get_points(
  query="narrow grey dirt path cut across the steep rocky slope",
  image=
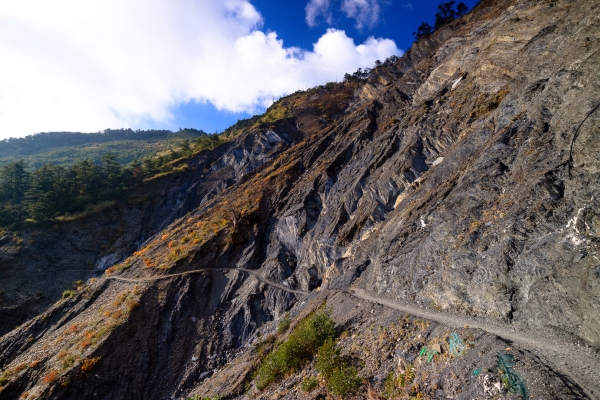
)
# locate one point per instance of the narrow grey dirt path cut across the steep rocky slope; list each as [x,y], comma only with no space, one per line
[580,364]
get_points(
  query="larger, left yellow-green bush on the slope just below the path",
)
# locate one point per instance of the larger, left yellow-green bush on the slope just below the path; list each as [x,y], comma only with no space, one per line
[302,343]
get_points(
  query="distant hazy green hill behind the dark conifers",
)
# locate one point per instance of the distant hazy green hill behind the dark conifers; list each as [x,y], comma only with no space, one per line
[65,148]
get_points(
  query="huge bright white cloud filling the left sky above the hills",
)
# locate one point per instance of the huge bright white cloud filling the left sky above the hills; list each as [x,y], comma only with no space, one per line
[73,65]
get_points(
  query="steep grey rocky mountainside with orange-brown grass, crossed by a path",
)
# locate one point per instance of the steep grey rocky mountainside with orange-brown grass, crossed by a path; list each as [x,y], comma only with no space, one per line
[429,233]
